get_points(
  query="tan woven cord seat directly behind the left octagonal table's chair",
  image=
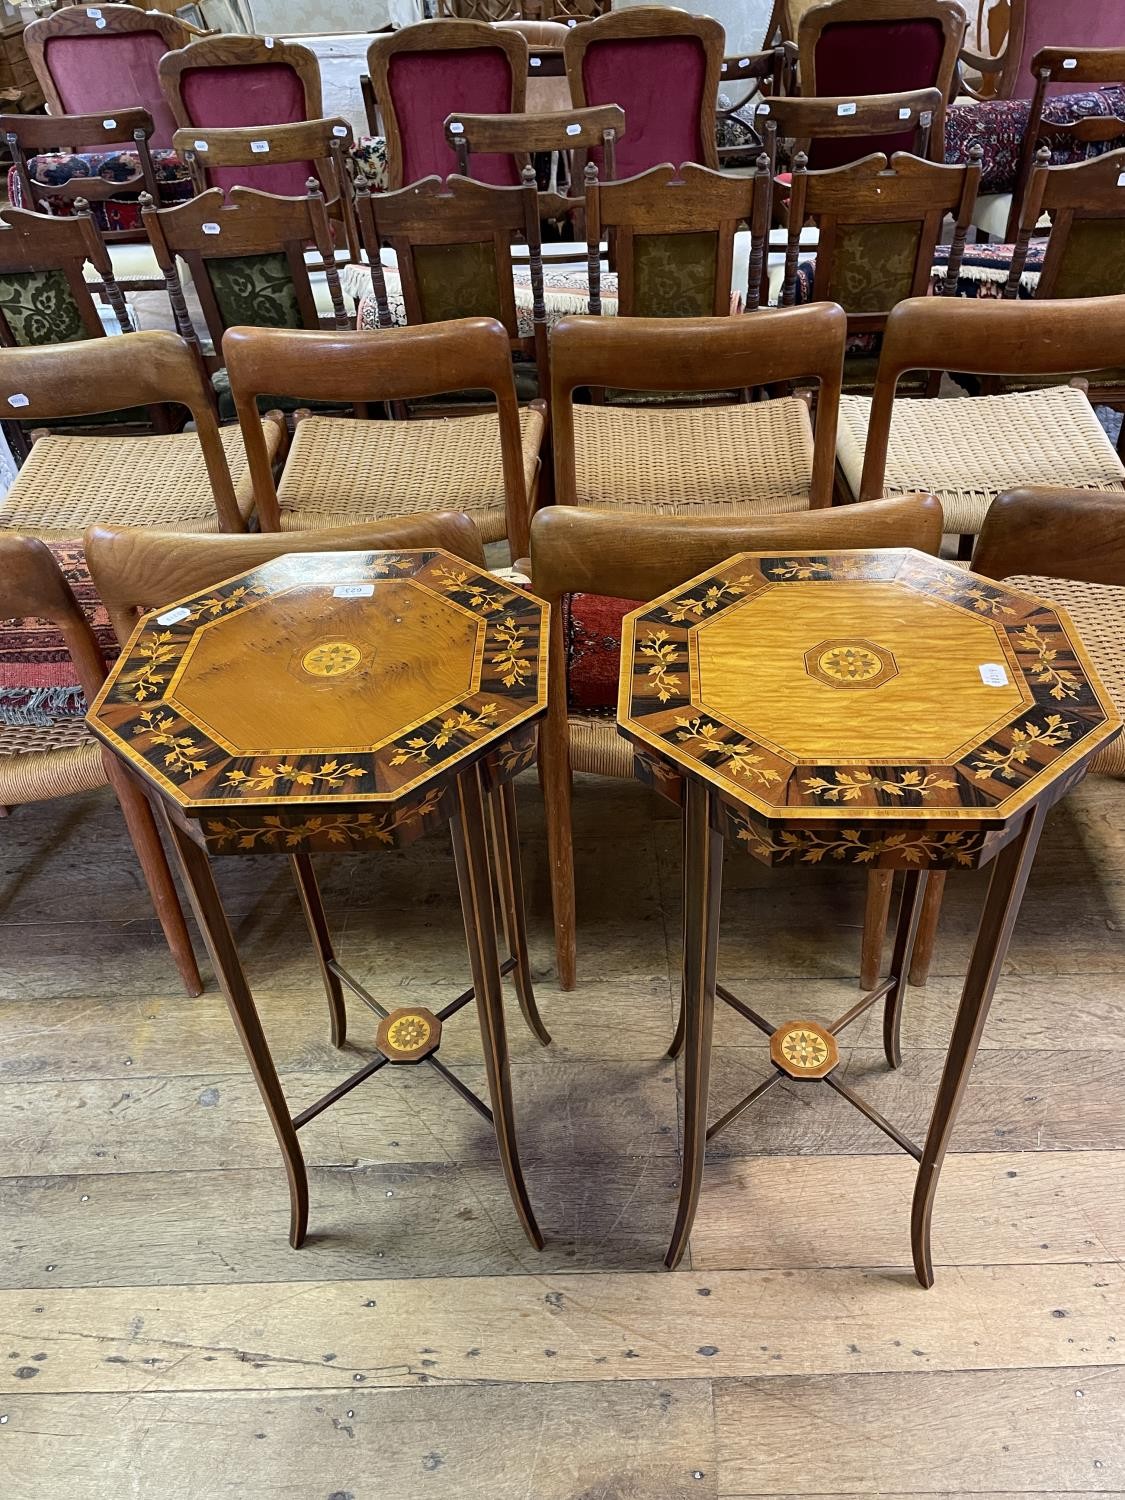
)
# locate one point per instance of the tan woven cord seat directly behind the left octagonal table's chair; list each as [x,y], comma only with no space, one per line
[340,470]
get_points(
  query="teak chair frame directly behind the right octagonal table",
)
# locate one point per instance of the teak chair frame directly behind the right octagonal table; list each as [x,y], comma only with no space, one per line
[638,557]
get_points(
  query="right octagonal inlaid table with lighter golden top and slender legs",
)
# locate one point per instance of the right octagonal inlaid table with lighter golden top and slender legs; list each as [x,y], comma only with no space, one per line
[863,709]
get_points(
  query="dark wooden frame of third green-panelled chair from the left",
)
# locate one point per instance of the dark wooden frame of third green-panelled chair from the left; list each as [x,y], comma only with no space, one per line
[458,212]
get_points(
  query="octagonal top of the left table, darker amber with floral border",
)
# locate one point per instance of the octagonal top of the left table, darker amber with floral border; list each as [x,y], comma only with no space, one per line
[326,680]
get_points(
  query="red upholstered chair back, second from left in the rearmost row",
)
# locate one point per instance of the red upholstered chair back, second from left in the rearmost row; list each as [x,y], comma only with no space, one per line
[247,80]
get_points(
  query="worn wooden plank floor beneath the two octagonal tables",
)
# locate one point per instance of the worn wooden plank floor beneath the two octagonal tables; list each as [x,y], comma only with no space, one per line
[158,1337]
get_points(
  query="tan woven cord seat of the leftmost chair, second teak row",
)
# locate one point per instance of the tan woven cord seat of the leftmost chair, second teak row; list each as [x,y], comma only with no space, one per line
[71,484]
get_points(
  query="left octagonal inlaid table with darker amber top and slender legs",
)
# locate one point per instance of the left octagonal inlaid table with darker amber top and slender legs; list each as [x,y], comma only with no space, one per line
[346,701]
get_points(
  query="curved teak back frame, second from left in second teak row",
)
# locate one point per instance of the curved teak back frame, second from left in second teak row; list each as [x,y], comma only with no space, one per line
[430,359]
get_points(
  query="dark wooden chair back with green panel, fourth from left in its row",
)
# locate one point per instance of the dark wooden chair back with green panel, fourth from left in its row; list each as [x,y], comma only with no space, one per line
[674,236]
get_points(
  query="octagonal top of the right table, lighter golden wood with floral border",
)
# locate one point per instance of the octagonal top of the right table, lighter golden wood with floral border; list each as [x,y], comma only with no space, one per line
[862,686]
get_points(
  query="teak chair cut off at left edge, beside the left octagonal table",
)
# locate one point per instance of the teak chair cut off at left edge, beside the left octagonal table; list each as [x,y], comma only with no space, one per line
[62,760]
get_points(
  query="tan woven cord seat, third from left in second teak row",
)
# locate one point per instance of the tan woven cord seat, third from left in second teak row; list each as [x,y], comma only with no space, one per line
[695,461]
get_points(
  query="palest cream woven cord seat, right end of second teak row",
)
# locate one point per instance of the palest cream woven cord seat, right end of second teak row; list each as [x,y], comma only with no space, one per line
[968,451]
